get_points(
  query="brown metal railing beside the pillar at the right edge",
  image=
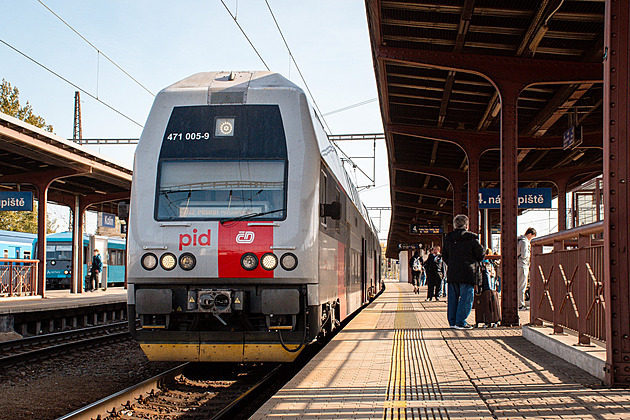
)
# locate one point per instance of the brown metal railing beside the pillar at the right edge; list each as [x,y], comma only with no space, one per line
[567,284]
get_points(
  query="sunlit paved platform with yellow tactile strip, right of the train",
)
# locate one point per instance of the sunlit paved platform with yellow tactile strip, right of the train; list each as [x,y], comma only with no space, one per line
[399,359]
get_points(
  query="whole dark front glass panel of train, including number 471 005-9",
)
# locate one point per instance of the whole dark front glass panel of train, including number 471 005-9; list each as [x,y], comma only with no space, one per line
[221,162]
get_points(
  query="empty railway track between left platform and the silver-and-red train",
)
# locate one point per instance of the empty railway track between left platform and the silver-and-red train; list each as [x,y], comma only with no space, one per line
[40,346]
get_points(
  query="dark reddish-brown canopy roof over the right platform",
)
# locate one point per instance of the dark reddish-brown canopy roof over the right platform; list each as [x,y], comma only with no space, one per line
[440,112]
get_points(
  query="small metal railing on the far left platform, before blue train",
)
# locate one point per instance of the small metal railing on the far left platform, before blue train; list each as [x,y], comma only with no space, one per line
[18,277]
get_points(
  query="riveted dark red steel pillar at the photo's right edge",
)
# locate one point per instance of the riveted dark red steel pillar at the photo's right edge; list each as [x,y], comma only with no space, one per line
[616,202]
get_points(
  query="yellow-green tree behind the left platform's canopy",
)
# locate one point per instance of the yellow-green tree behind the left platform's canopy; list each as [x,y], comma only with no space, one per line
[21,221]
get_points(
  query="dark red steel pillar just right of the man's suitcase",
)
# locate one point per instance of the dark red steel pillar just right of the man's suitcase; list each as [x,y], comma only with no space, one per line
[509,202]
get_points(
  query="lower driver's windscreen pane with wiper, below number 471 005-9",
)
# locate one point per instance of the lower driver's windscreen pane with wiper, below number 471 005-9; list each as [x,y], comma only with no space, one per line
[221,189]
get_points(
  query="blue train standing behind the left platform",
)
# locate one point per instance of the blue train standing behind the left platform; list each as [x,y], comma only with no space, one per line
[22,245]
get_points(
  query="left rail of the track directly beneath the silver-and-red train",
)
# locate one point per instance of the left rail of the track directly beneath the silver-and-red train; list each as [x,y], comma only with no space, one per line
[123,398]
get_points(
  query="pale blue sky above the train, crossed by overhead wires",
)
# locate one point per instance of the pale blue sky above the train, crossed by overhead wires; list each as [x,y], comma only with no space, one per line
[161,42]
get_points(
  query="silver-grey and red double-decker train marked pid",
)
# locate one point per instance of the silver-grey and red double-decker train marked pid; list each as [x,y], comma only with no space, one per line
[247,239]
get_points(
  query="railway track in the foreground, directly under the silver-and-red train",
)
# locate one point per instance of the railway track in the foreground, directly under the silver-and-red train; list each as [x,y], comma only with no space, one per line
[183,390]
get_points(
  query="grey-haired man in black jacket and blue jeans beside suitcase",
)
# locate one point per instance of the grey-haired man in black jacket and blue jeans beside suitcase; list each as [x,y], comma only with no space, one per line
[462,251]
